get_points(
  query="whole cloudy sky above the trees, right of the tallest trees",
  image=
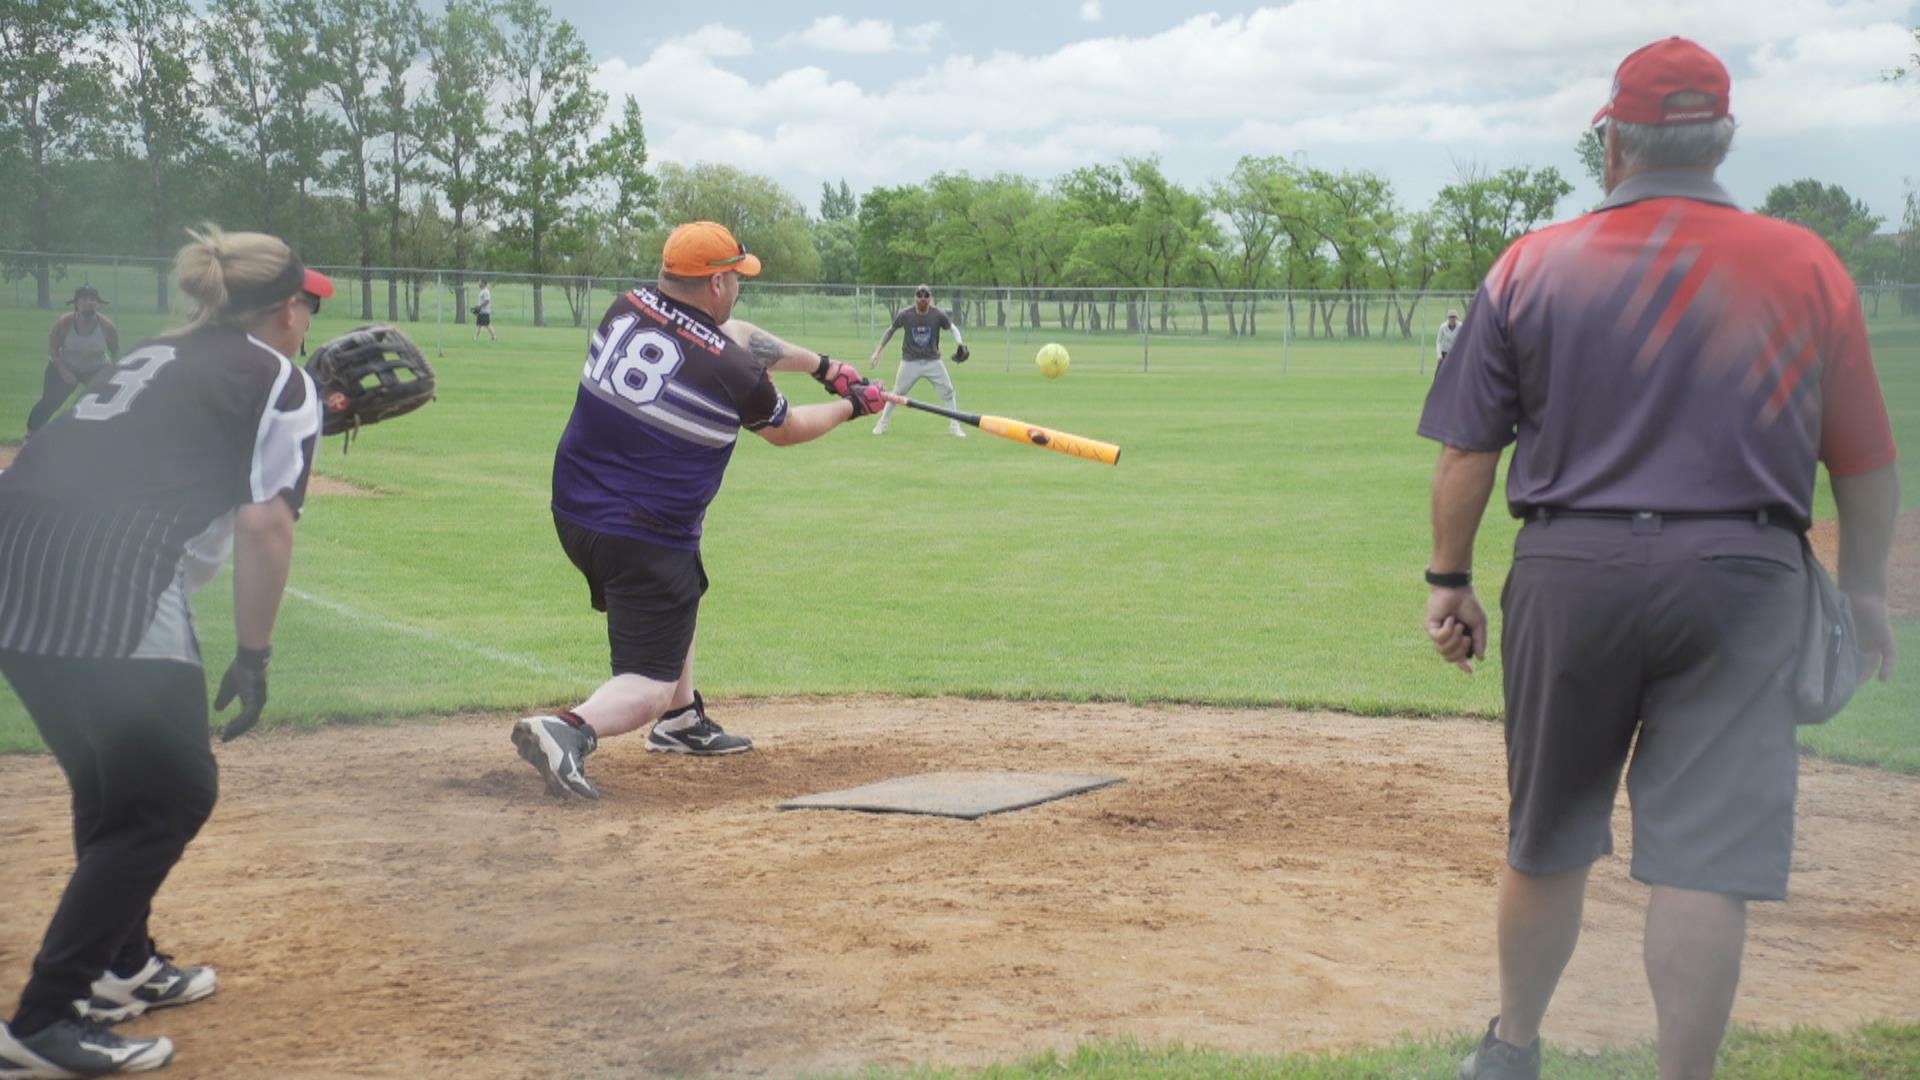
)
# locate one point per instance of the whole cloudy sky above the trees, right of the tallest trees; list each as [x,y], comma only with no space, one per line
[1418,91]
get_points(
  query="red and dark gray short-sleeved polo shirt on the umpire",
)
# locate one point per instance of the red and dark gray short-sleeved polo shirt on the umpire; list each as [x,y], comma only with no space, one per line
[1668,353]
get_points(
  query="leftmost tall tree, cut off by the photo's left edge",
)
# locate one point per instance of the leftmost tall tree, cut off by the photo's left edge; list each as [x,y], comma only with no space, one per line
[53,87]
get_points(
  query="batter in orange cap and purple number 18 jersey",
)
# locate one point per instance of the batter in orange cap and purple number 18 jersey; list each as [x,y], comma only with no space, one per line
[669,385]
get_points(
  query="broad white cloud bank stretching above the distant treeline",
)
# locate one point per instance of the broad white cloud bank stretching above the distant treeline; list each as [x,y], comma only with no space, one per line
[1437,84]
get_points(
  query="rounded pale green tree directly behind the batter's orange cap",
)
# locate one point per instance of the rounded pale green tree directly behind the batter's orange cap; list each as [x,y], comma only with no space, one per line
[759,212]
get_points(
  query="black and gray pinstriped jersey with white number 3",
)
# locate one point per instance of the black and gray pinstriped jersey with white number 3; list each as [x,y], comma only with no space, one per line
[124,506]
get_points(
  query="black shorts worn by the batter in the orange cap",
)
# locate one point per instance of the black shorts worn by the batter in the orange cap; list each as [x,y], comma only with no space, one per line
[650,593]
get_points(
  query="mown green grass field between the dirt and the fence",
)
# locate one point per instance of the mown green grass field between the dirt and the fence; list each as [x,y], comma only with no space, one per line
[1259,545]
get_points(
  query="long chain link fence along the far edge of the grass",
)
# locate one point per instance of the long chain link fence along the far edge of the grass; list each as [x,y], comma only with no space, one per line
[1272,320]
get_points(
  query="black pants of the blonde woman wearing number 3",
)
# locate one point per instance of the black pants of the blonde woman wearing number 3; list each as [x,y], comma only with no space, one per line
[133,739]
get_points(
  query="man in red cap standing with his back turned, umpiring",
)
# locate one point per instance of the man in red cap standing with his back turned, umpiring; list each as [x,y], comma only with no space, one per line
[1669,372]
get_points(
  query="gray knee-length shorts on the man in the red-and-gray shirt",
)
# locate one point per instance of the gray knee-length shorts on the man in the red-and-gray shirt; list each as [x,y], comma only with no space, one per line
[1658,649]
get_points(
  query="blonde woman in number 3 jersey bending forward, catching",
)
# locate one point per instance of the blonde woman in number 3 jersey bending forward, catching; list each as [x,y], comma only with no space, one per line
[110,518]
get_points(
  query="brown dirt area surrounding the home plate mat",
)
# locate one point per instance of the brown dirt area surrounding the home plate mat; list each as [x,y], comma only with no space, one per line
[391,902]
